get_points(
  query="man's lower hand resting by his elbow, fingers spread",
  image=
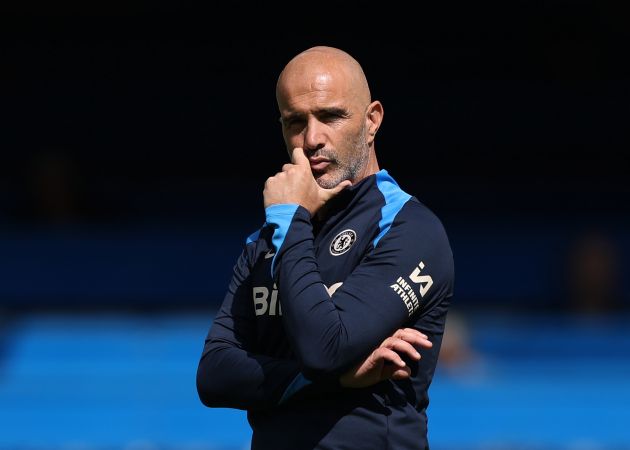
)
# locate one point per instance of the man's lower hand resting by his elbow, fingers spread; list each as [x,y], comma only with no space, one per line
[375,368]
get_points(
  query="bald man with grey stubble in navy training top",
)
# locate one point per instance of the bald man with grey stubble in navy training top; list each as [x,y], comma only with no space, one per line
[331,298]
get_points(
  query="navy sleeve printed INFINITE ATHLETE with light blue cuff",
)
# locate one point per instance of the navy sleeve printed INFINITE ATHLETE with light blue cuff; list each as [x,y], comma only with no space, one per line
[403,277]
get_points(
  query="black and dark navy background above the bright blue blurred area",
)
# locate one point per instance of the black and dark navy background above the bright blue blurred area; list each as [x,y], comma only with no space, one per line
[135,141]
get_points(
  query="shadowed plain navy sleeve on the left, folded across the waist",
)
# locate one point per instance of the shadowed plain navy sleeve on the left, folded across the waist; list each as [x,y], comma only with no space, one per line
[230,373]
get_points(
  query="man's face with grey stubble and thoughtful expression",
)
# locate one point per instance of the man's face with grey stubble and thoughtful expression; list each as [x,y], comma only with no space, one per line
[321,116]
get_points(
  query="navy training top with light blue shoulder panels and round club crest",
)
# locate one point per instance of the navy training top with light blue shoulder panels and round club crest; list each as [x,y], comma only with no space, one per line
[311,298]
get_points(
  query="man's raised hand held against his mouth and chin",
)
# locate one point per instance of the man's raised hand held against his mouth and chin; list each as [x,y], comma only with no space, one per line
[296,184]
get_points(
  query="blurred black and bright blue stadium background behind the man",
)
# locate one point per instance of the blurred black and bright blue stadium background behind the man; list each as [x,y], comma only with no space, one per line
[134,146]
